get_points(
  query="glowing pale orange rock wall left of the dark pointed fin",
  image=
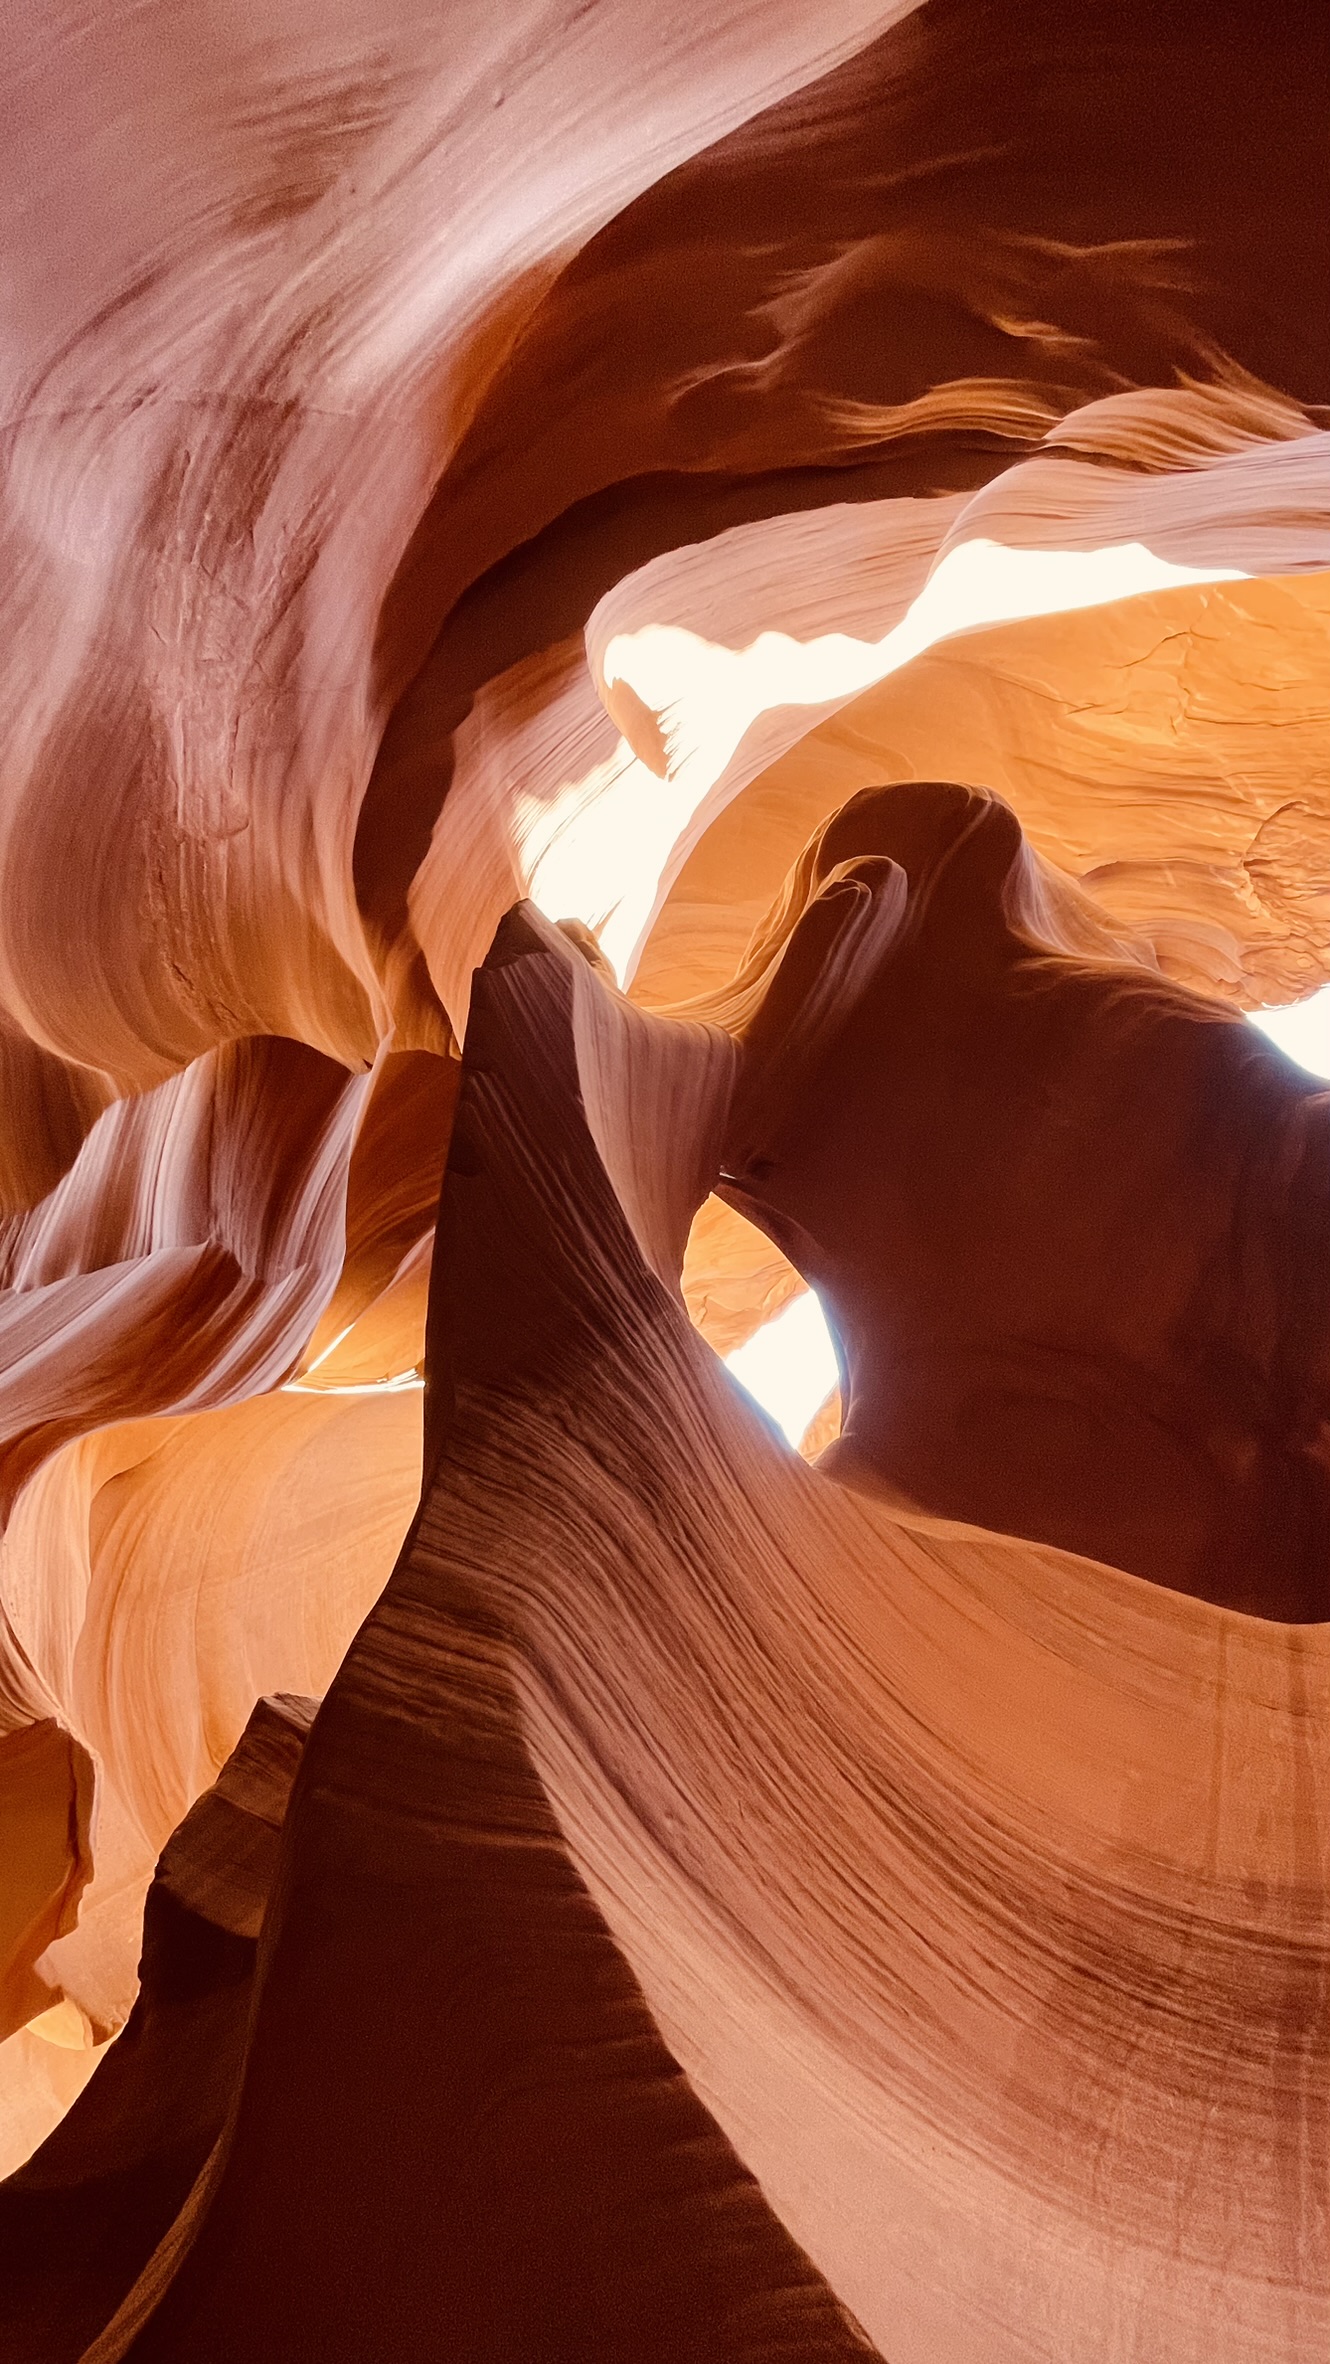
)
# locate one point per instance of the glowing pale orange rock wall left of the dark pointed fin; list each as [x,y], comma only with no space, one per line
[162,1578]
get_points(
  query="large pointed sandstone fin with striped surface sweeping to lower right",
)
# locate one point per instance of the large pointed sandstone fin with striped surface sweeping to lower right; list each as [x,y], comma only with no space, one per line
[951,1916]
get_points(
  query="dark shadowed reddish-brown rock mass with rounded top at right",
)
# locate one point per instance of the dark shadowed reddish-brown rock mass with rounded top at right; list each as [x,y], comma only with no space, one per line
[1071,1221]
